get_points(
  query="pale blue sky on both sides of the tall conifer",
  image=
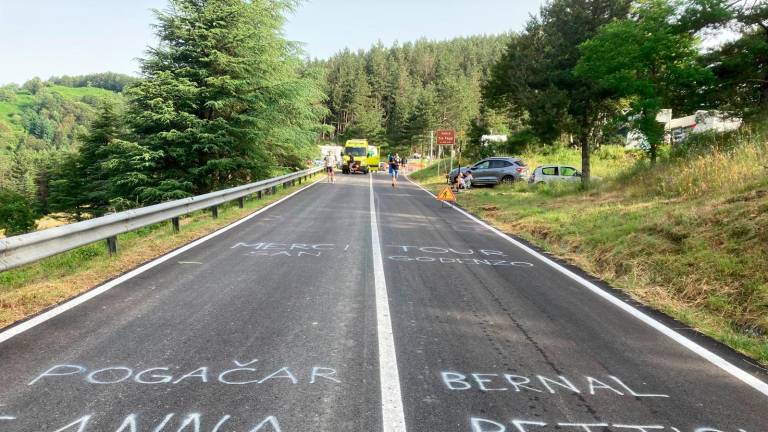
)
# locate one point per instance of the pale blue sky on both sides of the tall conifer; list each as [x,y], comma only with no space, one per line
[73,37]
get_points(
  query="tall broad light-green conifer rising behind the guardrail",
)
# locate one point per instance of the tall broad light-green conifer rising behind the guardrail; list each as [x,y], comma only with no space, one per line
[223,100]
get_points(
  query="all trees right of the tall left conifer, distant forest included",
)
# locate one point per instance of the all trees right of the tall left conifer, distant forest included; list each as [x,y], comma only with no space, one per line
[578,73]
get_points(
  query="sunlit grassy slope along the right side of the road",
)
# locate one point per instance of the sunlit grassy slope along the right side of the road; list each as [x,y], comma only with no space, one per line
[688,236]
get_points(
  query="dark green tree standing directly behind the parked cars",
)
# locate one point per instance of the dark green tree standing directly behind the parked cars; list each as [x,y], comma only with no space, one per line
[535,78]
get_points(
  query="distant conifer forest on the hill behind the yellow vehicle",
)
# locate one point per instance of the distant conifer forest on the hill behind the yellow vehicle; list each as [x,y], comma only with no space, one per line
[396,96]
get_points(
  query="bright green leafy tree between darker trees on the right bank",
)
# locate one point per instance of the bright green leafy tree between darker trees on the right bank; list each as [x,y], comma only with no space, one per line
[657,67]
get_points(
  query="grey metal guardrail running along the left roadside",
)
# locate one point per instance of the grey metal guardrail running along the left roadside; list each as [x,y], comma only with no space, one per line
[27,248]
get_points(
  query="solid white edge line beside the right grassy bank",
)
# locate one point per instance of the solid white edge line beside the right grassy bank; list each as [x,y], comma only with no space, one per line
[708,355]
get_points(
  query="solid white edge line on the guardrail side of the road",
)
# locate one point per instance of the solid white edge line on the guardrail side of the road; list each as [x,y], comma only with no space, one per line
[58,310]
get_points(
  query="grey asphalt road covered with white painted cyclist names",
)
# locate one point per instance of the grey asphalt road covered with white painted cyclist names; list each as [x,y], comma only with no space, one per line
[312,316]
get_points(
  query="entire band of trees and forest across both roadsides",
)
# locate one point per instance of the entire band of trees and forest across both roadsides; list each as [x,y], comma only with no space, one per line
[225,99]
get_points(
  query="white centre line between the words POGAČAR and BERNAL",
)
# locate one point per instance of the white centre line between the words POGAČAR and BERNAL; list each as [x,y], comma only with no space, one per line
[392,414]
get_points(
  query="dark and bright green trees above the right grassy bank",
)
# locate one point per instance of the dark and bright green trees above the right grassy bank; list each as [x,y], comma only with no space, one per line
[582,68]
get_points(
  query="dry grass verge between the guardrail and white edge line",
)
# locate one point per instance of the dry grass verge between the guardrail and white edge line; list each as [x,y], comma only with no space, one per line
[32,288]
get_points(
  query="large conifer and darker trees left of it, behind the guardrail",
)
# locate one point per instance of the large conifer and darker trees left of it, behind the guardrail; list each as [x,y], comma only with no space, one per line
[223,99]
